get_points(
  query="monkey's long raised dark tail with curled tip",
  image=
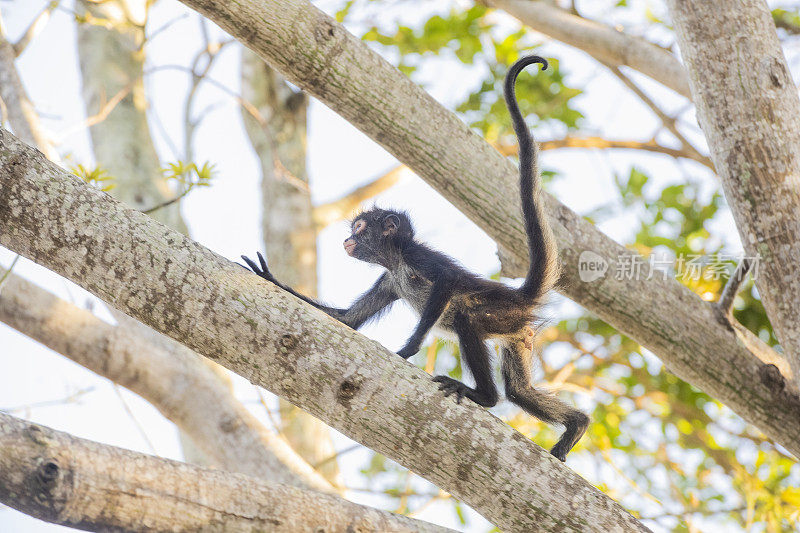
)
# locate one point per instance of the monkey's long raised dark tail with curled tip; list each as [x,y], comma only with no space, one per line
[543,269]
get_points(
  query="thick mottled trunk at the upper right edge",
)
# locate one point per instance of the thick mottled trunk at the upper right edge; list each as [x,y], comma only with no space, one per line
[748,108]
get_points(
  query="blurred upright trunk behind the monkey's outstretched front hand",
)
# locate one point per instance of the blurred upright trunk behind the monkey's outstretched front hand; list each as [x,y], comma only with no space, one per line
[290,238]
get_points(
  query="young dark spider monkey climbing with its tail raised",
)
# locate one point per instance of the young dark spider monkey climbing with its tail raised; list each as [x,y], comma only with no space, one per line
[452,299]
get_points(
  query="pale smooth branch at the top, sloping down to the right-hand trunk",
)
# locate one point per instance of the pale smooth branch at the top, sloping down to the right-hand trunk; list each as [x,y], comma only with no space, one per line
[602,42]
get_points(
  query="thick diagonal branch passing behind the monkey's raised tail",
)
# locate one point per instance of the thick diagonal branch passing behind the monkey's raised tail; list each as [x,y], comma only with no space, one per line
[319,55]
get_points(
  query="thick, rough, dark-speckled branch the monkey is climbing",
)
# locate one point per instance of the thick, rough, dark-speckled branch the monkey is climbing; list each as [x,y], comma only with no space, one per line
[273,339]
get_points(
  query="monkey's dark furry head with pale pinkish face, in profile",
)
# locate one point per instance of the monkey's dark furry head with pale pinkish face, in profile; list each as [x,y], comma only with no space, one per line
[378,234]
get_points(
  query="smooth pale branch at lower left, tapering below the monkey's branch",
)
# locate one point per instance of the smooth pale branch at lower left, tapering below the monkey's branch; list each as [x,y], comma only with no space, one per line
[165,373]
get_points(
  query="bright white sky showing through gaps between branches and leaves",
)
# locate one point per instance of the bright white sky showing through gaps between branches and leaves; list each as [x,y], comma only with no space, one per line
[226,217]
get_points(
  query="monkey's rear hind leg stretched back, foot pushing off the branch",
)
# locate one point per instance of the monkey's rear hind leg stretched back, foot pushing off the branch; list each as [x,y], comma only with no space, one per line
[544,406]
